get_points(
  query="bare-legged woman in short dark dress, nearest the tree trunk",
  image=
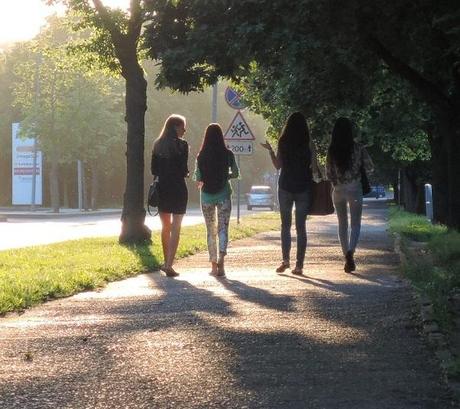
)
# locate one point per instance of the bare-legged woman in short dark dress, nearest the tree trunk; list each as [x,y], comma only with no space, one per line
[169,164]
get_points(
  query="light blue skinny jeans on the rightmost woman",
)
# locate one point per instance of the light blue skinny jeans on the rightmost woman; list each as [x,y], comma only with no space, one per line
[349,195]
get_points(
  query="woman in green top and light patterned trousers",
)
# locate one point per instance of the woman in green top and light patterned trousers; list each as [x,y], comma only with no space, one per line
[215,165]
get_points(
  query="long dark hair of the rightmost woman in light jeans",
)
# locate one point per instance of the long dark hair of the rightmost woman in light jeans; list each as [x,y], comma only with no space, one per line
[342,144]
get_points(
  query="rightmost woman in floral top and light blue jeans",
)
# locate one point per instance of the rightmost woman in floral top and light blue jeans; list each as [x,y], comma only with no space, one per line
[344,161]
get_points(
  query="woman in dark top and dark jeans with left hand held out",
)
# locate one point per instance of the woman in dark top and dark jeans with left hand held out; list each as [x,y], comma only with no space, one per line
[296,157]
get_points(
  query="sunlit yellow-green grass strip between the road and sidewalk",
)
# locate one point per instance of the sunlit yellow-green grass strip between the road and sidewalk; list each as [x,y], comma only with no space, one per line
[32,275]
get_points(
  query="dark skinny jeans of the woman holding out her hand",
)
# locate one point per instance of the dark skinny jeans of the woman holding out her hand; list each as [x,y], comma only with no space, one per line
[302,202]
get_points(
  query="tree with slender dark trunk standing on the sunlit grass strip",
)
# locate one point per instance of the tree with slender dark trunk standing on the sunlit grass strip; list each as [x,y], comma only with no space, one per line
[115,42]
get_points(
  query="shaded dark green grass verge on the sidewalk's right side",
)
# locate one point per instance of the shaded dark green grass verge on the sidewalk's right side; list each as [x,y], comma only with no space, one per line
[433,260]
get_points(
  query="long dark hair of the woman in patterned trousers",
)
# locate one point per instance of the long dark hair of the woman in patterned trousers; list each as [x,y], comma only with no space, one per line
[213,159]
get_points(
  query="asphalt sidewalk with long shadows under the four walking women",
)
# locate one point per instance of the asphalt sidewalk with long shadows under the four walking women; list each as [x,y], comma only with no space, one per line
[254,339]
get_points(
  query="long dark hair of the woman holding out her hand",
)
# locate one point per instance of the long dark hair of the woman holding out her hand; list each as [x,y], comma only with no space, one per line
[294,142]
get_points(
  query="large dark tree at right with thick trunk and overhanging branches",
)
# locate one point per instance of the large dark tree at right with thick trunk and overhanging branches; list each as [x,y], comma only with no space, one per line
[325,57]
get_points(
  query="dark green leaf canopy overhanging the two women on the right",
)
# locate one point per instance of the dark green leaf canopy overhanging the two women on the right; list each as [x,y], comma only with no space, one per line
[318,57]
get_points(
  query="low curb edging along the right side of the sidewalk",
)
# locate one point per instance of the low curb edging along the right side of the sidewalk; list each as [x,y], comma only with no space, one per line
[437,340]
